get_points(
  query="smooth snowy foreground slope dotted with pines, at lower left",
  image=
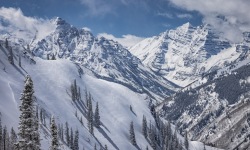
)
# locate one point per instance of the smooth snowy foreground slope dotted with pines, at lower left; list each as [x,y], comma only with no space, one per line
[52,80]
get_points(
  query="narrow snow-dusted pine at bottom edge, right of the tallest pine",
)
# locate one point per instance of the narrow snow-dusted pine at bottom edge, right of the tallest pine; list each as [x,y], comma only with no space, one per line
[54,140]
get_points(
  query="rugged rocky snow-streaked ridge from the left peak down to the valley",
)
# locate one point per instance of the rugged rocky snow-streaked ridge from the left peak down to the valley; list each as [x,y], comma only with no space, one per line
[107,59]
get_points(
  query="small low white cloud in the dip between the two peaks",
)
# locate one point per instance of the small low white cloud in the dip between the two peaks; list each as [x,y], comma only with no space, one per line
[126,40]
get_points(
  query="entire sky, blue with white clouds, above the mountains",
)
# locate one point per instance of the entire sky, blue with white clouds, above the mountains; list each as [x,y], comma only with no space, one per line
[129,21]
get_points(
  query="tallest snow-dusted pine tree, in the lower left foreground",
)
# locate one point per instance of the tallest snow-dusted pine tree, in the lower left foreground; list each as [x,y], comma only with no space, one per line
[27,130]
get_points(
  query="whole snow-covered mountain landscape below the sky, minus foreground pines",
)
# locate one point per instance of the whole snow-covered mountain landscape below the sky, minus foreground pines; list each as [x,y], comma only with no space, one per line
[192,77]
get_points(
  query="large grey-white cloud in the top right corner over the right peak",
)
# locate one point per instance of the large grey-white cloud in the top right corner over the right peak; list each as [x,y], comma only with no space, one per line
[231,17]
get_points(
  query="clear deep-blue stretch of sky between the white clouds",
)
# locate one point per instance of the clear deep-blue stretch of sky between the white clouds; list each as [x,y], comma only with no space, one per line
[141,18]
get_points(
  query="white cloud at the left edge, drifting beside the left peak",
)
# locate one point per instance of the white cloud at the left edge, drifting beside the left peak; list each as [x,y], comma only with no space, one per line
[13,21]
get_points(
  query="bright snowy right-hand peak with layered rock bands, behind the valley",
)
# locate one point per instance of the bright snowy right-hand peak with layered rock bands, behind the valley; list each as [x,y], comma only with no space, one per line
[184,54]
